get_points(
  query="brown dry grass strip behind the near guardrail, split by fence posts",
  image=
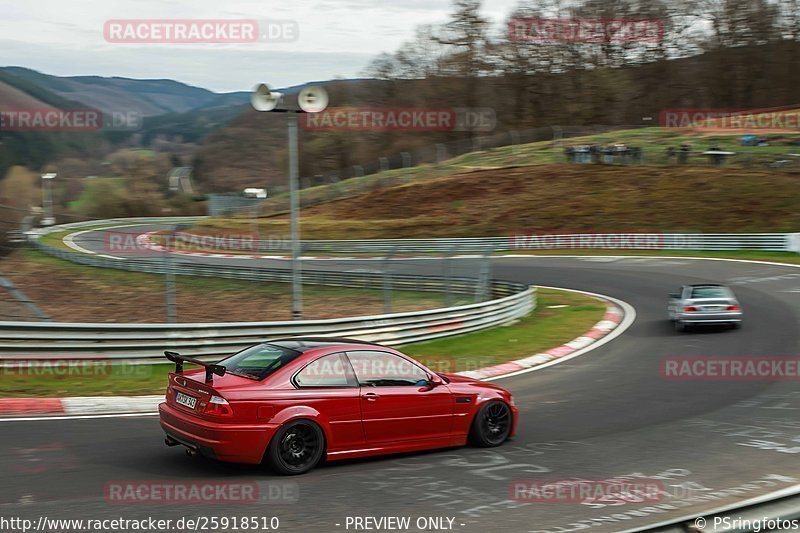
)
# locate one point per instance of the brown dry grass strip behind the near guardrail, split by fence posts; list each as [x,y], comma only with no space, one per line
[70,292]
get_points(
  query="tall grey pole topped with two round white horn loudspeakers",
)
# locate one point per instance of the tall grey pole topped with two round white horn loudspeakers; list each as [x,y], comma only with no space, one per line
[312,99]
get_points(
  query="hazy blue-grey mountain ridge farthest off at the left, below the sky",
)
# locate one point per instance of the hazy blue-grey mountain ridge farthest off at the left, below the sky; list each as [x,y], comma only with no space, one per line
[147,97]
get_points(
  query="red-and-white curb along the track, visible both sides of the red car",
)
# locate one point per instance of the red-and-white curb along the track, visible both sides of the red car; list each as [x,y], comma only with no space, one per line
[122,405]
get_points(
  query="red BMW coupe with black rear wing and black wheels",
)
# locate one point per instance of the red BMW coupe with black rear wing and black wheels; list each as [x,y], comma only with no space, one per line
[291,402]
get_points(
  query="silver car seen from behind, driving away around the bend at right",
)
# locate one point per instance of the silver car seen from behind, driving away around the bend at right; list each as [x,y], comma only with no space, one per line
[704,304]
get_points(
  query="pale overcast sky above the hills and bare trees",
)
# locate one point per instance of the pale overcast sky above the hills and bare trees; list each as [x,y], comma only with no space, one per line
[336,38]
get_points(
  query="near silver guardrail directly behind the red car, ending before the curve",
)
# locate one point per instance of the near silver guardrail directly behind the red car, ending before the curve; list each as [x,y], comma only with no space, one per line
[35,340]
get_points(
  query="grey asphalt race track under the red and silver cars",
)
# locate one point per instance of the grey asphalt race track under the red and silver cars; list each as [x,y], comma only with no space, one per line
[605,414]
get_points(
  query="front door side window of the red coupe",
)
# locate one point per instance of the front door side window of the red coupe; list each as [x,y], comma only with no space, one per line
[383,369]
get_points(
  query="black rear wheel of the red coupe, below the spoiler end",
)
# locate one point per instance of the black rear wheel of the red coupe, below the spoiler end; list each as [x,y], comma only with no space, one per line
[297,447]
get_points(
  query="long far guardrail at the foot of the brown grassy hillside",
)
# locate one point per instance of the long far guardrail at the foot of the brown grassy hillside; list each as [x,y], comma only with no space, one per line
[521,242]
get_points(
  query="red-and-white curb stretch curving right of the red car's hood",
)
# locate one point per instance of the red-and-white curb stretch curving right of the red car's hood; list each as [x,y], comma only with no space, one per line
[612,319]
